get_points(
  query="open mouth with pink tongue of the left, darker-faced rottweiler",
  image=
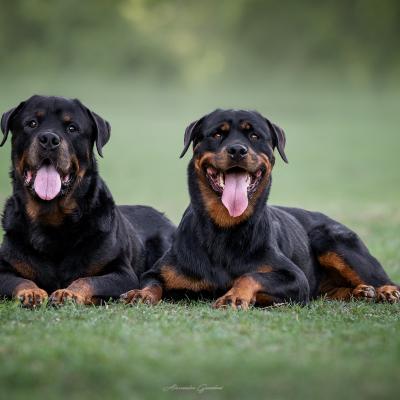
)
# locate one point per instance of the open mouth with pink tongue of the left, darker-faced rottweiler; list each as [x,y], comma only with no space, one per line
[47,182]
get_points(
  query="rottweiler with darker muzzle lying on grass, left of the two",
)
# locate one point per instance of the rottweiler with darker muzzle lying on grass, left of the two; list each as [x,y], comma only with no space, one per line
[64,236]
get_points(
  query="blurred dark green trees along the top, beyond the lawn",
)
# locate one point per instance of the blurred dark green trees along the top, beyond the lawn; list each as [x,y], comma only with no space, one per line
[193,40]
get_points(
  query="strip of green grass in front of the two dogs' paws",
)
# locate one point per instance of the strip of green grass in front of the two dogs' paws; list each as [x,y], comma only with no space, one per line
[327,350]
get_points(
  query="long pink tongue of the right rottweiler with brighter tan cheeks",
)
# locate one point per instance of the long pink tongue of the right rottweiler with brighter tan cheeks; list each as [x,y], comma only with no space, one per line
[234,196]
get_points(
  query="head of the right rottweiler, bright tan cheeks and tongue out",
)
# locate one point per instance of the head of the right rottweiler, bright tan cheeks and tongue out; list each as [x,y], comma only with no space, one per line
[233,158]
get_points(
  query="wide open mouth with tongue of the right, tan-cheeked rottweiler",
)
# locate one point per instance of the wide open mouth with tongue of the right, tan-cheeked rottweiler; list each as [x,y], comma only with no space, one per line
[235,186]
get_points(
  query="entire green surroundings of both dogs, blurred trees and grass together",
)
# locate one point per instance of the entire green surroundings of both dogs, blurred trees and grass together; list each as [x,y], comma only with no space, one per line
[328,72]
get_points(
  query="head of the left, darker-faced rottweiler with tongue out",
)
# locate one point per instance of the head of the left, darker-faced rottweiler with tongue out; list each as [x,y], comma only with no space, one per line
[52,144]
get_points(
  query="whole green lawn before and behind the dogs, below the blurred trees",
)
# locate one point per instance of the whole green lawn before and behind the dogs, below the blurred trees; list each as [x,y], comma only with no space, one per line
[343,149]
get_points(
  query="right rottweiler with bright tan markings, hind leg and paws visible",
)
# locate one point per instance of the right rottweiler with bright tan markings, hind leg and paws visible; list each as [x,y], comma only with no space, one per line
[240,250]
